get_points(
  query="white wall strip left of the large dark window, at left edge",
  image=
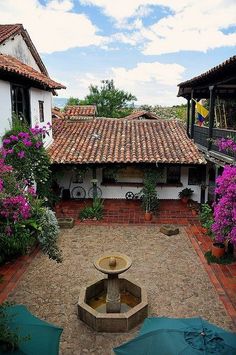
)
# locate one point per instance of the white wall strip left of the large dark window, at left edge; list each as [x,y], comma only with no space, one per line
[5,106]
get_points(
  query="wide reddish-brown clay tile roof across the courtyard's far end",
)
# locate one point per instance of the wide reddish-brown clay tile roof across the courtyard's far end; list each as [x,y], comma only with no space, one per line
[122,141]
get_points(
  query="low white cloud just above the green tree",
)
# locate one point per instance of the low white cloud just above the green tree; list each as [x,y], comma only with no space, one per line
[152,83]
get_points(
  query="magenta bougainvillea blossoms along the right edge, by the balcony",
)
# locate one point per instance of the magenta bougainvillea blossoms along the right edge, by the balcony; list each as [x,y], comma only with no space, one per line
[224,226]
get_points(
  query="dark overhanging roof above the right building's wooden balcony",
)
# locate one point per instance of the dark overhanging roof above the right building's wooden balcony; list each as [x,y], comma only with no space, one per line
[229,64]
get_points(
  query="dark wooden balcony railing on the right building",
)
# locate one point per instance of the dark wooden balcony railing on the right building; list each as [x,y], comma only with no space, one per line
[201,137]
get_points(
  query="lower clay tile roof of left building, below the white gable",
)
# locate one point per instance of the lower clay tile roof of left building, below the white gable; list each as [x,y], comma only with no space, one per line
[9,64]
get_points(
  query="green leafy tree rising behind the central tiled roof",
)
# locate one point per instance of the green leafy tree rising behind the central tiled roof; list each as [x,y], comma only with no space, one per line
[110,101]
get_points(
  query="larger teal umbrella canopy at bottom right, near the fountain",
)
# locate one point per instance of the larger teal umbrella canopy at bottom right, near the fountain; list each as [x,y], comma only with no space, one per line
[172,336]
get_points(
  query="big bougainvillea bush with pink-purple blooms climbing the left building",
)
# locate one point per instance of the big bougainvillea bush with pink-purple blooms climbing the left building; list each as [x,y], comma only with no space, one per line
[23,214]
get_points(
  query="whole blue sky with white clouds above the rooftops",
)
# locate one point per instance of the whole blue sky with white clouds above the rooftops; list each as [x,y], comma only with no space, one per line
[147,46]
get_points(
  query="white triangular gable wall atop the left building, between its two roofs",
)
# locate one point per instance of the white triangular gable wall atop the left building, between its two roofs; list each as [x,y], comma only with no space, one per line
[16,47]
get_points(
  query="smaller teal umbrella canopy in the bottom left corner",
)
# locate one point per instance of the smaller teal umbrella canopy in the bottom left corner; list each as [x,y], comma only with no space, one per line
[44,337]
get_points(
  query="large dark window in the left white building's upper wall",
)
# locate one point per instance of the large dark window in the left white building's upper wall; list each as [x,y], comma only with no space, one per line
[20,102]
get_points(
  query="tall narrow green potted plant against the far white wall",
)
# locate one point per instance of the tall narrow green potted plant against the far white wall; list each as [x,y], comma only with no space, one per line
[148,194]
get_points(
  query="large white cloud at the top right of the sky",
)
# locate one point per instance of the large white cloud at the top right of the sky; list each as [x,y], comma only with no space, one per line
[192,25]
